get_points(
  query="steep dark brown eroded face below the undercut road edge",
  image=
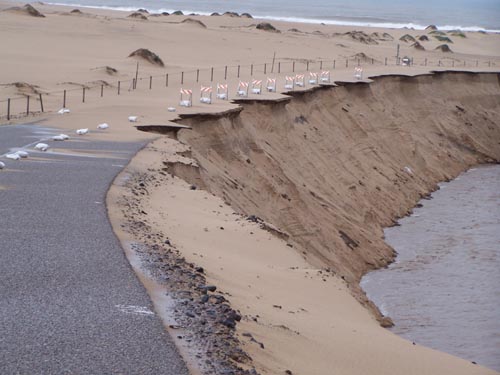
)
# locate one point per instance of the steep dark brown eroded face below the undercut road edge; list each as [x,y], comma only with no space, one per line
[331,167]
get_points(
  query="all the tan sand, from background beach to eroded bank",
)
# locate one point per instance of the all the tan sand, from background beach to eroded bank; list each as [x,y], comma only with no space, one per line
[305,315]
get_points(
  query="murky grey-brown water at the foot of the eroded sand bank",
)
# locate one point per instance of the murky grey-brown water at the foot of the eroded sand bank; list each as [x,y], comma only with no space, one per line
[443,290]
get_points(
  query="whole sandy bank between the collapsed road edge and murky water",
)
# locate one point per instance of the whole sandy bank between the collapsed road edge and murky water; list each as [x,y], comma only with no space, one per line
[327,179]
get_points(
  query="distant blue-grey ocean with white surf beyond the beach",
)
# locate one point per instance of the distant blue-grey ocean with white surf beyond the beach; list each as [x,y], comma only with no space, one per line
[467,15]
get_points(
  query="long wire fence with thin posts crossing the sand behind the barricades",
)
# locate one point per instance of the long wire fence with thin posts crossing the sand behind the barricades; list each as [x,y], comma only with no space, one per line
[40,102]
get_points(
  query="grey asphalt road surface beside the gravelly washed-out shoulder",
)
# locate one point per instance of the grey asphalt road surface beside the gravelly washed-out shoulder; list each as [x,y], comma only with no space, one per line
[70,302]
